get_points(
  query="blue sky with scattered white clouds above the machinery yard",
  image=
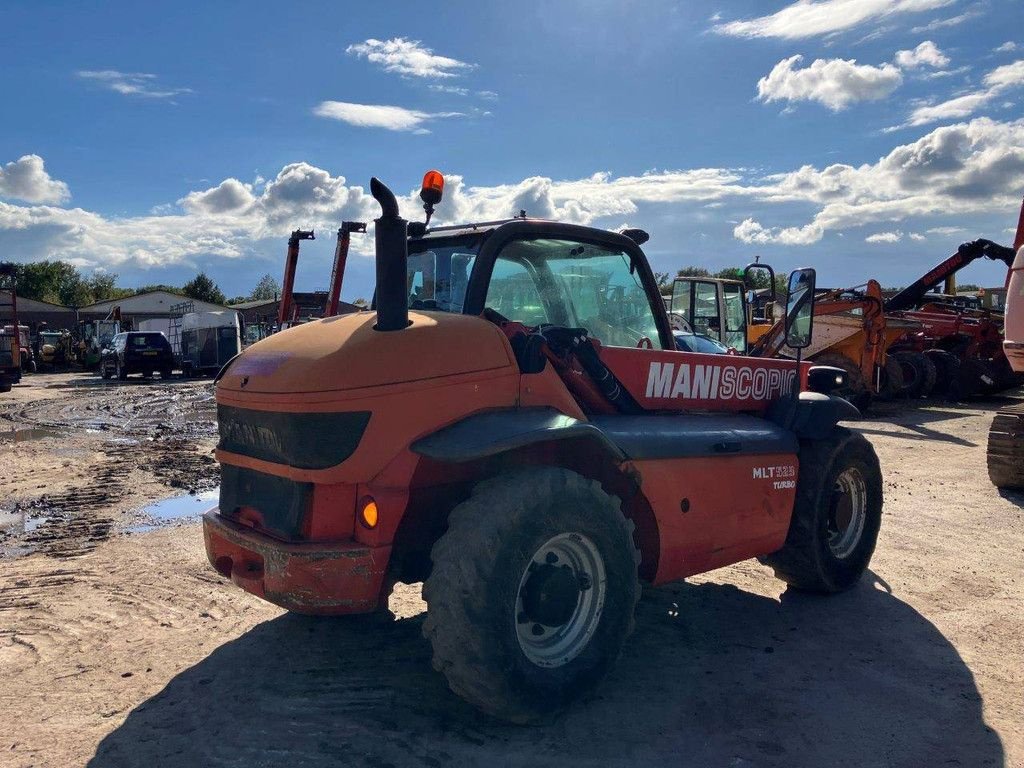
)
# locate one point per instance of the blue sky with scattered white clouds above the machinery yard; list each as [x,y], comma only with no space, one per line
[157,140]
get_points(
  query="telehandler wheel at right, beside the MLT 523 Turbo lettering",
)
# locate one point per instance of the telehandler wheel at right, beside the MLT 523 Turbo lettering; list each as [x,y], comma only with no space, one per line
[837,517]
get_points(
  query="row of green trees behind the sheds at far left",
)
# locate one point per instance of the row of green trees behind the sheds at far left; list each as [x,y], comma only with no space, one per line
[61,283]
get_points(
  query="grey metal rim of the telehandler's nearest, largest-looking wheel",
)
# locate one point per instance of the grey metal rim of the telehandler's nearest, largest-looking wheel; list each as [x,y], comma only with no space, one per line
[561,600]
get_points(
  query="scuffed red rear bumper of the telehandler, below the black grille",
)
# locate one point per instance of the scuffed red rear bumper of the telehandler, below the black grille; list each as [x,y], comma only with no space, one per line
[316,578]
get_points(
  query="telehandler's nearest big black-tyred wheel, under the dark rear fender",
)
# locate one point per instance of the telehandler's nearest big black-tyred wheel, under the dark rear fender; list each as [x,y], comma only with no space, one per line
[533,592]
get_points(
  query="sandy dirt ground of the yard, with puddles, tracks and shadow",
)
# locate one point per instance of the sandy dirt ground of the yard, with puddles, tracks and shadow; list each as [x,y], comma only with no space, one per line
[120,647]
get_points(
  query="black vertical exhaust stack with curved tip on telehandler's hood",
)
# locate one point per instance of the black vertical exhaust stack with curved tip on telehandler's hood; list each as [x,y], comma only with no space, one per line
[392,240]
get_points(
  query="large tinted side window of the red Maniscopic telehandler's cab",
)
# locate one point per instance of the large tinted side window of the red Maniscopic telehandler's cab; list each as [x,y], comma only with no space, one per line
[574,284]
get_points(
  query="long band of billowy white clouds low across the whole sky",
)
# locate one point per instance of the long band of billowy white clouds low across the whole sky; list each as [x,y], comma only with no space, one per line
[955,172]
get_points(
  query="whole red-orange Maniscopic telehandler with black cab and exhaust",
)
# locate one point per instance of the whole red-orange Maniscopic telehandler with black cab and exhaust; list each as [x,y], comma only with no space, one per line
[514,428]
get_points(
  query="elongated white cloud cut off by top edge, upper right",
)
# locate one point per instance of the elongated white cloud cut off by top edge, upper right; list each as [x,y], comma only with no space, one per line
[805,19]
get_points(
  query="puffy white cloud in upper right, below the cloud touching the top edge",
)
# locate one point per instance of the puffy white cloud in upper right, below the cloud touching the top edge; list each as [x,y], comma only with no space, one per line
[837,83]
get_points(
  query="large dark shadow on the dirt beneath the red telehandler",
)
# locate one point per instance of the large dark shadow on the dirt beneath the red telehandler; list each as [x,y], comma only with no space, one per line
[713,676]
